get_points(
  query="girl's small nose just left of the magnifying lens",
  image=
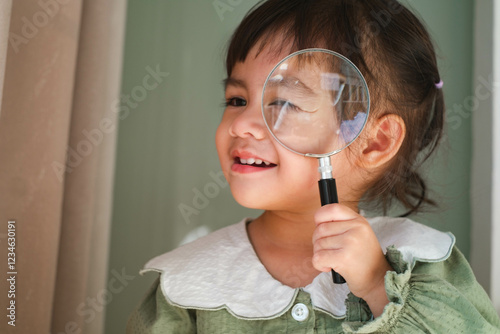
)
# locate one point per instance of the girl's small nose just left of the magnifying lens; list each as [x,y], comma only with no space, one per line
[249,123]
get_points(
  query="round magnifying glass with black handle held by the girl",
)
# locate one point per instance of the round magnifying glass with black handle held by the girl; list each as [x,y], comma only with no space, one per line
[316,103]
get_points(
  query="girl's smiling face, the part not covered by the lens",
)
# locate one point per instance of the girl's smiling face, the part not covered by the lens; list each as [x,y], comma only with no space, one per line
[261,173]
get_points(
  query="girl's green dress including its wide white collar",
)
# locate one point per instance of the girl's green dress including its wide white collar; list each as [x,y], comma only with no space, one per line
[216,284]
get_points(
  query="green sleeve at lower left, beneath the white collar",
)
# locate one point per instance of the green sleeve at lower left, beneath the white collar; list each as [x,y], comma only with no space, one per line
[155,315]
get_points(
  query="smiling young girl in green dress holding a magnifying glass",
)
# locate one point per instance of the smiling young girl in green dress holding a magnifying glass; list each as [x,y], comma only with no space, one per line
[272,274]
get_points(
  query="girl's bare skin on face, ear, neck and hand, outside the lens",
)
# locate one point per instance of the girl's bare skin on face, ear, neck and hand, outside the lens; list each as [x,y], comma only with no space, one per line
[295,238]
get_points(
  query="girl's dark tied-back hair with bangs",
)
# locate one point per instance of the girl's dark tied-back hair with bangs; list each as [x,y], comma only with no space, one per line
[392,49]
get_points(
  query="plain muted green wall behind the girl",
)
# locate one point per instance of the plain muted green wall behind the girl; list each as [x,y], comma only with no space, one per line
[166,154]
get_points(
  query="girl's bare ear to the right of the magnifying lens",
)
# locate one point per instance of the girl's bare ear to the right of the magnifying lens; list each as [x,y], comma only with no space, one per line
[384,138]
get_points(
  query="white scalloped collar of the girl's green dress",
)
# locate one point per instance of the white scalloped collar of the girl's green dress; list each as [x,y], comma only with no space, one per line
[222,270]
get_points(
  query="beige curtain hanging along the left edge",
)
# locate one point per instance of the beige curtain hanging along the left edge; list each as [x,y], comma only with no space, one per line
[62,62]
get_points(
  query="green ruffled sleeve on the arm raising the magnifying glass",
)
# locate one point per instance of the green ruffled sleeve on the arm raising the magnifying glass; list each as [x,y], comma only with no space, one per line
[431,297]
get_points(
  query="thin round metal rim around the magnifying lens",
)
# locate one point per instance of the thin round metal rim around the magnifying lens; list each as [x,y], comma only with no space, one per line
[333,53]
